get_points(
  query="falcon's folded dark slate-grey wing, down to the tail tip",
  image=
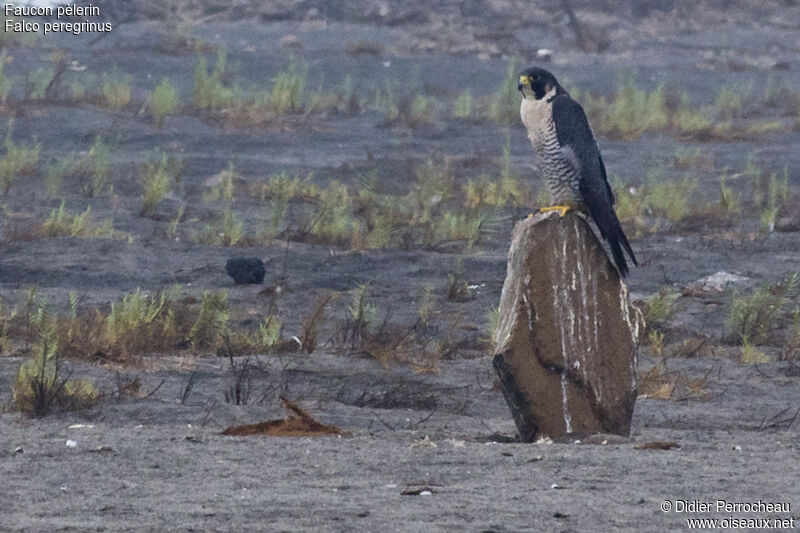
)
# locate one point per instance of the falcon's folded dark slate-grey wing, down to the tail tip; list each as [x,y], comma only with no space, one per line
[575,135]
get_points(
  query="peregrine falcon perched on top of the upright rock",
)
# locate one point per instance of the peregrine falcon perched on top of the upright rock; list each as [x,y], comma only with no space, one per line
[569,158]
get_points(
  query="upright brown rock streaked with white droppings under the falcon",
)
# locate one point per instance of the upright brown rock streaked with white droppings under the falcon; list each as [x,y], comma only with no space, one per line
[566,342]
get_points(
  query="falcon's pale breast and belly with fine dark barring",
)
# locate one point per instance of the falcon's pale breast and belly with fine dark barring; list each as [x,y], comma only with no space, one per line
[559,167]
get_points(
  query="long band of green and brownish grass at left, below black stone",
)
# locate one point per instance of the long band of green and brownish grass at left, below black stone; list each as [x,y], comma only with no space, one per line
[139,324]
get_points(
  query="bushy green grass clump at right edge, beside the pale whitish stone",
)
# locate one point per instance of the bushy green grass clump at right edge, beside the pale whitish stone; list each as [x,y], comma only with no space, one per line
[753,316]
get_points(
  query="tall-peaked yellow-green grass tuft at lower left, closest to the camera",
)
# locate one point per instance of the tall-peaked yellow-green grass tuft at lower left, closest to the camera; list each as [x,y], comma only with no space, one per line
[41,385]
